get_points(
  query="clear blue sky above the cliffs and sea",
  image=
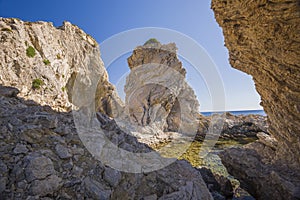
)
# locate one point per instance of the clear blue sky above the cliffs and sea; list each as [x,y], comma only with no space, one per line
[103,19]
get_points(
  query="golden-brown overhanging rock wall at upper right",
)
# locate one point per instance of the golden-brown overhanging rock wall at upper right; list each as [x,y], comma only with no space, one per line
[263,40]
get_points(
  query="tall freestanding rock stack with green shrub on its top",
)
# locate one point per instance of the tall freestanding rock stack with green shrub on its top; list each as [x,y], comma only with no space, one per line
[157,94]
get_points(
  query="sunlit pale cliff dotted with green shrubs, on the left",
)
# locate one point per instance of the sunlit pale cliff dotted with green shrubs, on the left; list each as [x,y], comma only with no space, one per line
[42,61]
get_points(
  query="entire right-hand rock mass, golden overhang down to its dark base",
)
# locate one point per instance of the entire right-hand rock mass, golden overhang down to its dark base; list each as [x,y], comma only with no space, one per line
[263,40]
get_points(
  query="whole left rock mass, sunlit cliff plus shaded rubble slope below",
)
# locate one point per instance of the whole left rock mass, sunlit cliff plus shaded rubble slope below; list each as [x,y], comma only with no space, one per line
[41,153]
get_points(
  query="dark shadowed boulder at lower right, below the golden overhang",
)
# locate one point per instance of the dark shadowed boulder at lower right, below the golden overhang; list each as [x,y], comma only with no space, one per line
[252,166]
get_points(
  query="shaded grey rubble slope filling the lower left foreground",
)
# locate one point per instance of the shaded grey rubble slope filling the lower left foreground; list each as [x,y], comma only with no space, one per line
[40,160]
